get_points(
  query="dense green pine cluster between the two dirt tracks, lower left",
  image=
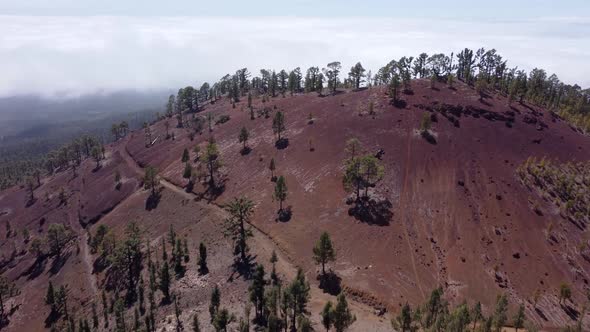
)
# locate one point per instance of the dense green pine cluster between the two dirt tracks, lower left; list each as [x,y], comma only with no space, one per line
[123,259]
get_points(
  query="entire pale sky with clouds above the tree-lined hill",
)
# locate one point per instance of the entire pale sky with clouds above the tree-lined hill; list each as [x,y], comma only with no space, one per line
[73,47]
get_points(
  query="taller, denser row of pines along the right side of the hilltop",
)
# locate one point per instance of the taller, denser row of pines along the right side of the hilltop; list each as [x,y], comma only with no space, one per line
[487,70]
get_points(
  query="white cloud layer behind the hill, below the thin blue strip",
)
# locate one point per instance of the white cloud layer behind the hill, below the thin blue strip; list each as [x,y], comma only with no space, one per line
[77,55]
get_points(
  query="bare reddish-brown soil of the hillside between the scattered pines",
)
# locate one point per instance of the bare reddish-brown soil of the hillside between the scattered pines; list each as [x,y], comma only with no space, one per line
[453,213]
